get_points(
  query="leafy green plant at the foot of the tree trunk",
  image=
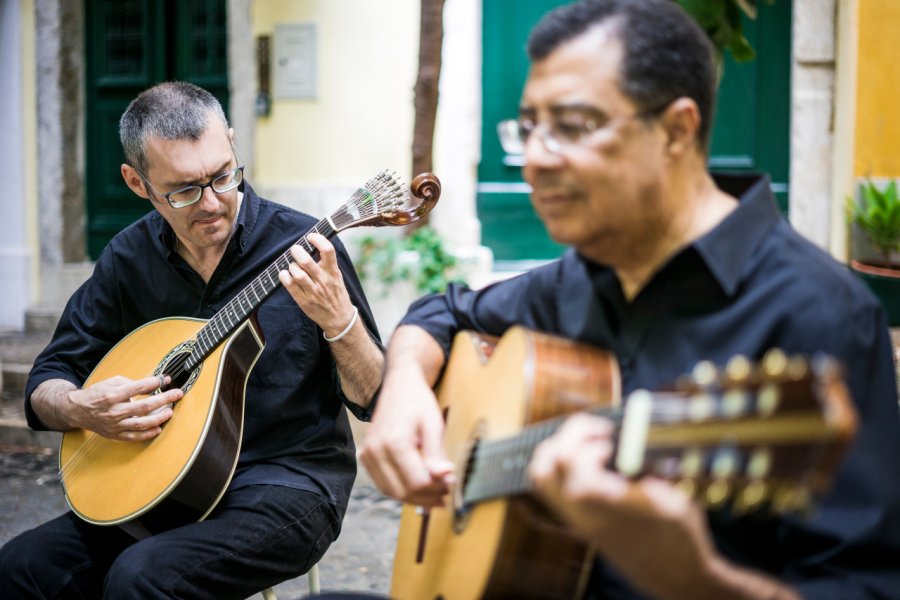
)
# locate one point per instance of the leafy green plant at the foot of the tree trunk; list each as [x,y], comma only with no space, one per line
[434,269]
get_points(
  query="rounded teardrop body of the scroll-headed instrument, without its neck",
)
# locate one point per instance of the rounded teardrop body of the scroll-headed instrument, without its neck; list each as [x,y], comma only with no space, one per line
[179,476]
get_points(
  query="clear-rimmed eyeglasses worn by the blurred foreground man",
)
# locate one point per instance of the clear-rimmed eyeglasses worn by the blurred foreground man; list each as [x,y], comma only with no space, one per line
[566,130]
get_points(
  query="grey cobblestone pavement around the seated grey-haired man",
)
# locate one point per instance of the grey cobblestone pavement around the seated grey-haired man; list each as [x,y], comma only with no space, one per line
[360,560]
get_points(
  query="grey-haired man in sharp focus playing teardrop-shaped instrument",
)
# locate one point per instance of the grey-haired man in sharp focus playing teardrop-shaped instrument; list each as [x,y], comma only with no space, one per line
[209,236]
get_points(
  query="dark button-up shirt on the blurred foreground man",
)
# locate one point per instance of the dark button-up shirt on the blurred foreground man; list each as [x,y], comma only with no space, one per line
[749,285]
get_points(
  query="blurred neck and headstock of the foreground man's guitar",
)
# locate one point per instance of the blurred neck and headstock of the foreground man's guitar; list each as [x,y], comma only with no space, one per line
[778,438]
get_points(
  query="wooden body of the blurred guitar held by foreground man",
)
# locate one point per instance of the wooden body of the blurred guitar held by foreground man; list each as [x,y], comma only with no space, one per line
[505,547]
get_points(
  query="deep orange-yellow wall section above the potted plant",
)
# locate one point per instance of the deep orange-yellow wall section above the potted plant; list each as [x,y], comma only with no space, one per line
[878,90]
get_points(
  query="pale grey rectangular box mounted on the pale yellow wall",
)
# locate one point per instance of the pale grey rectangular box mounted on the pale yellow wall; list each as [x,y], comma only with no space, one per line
[295,60]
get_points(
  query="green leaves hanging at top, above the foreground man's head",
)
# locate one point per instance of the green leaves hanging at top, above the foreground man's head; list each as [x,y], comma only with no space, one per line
[721,20]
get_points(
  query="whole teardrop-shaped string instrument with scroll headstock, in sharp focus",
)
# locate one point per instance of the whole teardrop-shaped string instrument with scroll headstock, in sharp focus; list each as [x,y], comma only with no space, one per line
[179,476]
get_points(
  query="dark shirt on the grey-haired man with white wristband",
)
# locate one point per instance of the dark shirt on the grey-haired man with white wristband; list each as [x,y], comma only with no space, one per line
[296,432]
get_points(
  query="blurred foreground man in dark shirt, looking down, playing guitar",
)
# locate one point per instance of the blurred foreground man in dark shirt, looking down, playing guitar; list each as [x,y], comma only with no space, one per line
[667,267]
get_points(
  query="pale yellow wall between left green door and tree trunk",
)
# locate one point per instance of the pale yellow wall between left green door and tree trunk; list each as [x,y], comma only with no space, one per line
[362,118]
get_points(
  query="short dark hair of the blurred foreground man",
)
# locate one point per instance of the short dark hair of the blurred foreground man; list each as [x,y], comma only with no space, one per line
[665,53]
